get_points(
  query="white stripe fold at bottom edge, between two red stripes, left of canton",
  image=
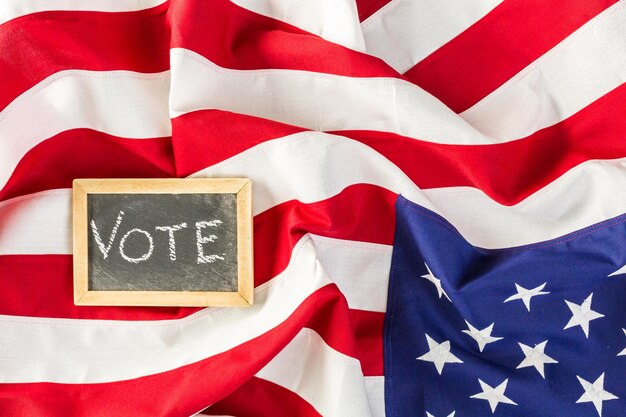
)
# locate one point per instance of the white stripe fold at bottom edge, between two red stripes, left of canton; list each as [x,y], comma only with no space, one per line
[328,380]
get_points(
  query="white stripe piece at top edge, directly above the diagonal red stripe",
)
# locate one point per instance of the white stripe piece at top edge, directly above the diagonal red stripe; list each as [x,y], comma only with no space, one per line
[404,32]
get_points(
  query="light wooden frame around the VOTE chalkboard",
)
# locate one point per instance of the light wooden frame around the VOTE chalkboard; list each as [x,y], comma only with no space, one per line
[242,187]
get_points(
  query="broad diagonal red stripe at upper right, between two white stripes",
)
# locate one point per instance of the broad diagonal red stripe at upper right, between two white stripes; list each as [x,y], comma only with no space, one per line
[497,47]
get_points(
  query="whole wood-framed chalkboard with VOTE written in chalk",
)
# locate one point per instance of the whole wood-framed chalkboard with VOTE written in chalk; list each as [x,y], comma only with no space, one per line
[163,242]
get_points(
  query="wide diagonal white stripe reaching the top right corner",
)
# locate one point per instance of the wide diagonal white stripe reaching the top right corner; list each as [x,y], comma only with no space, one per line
[585,66]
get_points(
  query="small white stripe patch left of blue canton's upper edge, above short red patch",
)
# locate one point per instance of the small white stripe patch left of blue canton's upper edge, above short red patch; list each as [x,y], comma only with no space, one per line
[360,270]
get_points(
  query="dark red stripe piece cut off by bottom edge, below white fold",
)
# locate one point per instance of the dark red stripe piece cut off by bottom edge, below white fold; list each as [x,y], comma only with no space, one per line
[261,398]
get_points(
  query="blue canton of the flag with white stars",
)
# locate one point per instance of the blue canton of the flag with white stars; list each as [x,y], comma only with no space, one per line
[532,331]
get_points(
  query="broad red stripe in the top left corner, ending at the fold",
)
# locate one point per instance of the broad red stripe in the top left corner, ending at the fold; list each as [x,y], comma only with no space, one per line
[38,45]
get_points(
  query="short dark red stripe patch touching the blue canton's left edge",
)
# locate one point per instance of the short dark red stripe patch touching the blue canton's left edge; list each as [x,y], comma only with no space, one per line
[368,330]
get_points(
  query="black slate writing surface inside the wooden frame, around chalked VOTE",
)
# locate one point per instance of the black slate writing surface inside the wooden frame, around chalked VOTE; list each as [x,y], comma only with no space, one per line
[158,270]
